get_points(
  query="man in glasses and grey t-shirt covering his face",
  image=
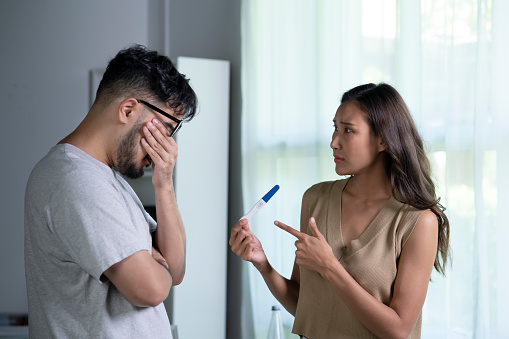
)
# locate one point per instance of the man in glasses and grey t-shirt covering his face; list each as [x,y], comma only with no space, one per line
[97,265]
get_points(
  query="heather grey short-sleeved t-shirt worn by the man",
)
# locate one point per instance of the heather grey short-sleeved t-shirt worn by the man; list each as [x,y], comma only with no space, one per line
[81,218]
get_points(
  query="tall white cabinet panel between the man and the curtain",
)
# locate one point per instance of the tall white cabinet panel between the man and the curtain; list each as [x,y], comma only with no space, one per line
[201,186]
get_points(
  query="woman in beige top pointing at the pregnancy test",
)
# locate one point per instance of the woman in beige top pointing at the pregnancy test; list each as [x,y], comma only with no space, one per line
[367,244]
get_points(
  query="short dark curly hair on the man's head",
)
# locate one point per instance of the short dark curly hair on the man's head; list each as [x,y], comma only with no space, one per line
[143,74]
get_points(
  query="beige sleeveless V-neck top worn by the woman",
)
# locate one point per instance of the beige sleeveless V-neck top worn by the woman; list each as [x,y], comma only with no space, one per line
[371,259]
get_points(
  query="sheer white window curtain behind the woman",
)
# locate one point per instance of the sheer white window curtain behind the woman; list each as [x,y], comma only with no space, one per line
[449,60]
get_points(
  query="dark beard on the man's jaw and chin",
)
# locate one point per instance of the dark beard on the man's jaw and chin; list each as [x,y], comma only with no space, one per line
[126,152]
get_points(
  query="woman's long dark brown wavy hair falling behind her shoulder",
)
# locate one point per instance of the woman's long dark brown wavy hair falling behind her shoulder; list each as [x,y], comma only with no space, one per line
[406,162]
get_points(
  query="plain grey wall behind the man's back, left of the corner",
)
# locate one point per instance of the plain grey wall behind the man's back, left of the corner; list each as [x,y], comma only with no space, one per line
[46,51]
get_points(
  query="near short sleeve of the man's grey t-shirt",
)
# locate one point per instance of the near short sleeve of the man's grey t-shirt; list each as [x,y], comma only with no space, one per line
[91,221]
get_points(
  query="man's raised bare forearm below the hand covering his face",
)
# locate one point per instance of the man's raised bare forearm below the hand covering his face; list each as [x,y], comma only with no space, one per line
[170,235]
